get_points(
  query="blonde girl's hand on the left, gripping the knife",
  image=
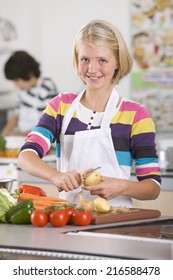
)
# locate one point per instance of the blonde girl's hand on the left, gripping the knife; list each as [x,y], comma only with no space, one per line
[67,181]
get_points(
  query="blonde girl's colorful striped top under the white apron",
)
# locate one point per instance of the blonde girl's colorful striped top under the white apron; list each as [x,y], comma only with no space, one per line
[132,130]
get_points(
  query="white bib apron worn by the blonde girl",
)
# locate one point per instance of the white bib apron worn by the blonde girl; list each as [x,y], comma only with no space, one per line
[91,148]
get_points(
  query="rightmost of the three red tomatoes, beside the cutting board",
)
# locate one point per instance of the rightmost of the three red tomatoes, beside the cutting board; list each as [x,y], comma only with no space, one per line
[81,218]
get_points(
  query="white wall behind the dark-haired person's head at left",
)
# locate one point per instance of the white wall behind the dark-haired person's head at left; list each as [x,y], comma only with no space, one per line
[25,16]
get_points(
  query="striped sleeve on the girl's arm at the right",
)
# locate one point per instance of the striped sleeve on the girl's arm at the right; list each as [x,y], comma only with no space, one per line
[144,147]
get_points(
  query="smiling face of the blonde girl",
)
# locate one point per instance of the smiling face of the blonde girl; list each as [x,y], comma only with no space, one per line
[96,66]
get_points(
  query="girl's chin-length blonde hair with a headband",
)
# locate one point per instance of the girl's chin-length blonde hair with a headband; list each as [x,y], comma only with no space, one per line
[104,34]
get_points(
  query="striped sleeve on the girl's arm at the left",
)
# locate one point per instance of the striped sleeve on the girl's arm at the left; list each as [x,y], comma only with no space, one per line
[49,127]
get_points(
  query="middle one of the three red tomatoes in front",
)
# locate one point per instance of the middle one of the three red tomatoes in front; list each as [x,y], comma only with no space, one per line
[58,218]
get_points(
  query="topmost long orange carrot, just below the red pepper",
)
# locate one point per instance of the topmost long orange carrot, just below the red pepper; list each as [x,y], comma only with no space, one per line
[26,196]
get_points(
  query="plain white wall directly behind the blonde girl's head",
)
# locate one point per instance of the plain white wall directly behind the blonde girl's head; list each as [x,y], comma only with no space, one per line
[62,24]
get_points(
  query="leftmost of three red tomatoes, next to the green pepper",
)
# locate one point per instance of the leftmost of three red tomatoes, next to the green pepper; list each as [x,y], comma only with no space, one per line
[39,218]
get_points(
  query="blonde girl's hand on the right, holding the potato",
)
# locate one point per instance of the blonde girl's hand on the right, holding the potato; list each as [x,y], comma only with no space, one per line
[109,188]
